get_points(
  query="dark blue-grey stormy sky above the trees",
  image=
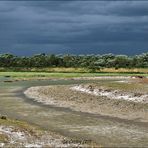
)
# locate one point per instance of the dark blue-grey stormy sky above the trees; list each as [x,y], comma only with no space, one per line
[76,27]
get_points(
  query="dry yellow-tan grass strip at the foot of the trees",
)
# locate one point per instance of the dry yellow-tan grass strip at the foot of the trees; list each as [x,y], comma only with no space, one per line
[73,70]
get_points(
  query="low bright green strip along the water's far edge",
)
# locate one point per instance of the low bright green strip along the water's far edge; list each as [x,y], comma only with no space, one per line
[14,76]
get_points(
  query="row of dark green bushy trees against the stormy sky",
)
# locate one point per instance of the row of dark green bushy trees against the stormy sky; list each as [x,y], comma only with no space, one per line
[76,61]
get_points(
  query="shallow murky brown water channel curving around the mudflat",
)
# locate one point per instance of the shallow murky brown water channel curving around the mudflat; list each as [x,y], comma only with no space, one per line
[103,130]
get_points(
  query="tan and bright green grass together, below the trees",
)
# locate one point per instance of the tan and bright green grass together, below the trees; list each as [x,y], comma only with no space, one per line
[73,72]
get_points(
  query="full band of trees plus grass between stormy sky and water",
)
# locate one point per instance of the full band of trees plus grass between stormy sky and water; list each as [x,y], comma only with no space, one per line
[69,66]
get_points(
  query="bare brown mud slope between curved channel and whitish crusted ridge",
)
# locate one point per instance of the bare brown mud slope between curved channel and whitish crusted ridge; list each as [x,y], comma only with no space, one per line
[85,101]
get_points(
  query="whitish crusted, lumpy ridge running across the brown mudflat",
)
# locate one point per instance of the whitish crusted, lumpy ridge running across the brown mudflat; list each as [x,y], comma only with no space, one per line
[112,94]
